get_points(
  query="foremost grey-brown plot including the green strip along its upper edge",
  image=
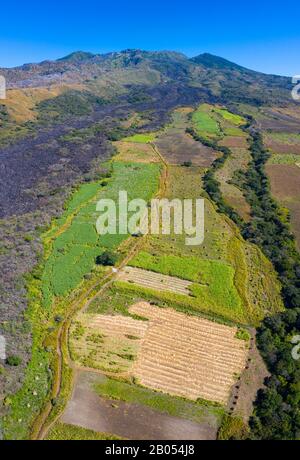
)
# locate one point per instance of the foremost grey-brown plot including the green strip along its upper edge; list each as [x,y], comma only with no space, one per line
[130,411]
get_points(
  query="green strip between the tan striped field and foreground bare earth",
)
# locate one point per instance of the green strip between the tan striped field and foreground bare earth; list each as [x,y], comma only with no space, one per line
[171,405]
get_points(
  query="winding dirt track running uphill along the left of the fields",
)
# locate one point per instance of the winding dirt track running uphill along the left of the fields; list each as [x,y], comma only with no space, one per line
[41,426]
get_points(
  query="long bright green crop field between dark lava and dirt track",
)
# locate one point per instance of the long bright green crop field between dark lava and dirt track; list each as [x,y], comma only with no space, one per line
[74,250]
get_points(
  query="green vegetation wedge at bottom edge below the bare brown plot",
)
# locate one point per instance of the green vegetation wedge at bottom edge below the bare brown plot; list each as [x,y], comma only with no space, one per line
[65,432]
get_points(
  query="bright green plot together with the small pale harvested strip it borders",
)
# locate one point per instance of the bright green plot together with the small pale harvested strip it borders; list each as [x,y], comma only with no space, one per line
[211,289]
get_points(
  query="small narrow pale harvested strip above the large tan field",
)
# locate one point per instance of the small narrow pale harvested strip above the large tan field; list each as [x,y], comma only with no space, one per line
[154,280]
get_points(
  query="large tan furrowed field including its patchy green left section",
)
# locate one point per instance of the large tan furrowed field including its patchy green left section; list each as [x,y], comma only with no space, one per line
[166,353]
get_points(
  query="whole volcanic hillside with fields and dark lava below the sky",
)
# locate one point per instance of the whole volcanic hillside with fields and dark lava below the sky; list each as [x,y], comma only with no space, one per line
[157,124]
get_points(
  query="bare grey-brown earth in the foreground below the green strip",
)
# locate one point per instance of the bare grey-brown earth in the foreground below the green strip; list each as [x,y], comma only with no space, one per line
[130,421]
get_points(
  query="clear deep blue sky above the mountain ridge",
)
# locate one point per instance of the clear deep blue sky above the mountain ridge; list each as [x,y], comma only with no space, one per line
[262,35]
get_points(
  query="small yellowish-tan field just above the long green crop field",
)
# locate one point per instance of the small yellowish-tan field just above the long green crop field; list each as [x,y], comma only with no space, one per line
[136,152]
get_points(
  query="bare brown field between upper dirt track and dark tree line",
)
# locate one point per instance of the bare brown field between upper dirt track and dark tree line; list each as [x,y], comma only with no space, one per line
[180,147]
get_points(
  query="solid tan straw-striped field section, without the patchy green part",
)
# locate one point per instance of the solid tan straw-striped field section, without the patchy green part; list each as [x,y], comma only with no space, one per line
[188,356]
